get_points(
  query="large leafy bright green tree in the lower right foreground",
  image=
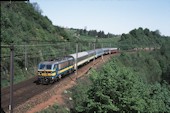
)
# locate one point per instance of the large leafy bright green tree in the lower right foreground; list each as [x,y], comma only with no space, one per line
[118,88]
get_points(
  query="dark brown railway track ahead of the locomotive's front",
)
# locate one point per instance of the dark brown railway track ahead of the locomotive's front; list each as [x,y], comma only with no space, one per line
[22,92]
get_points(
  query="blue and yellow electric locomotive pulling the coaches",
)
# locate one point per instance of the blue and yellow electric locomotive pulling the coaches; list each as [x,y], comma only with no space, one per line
[50,71]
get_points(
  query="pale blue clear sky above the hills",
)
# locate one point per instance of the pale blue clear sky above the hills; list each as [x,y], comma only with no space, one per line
[113,16]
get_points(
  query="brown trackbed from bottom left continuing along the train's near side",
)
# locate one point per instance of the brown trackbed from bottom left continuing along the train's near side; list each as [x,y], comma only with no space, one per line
[28,89]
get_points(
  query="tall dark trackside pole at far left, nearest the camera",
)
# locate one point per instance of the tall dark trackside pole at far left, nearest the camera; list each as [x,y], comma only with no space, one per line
[11,78]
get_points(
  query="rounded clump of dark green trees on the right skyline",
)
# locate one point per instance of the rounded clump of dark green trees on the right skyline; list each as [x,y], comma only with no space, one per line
[141,38]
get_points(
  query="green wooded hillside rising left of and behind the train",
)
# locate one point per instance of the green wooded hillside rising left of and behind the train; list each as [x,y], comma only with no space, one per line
[36,39]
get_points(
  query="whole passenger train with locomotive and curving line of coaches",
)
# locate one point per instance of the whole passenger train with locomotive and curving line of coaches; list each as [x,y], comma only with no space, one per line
[53,70]
